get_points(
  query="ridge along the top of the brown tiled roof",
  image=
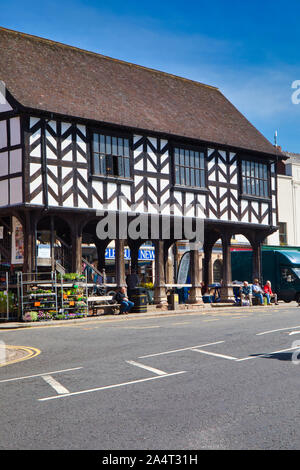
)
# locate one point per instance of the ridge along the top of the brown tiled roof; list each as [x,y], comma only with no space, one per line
[130,64]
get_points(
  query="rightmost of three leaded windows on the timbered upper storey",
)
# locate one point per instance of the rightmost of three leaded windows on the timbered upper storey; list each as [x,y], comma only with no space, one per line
[255,179]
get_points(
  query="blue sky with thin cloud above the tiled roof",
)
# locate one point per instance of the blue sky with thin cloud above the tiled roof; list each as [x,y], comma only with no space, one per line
[248,49]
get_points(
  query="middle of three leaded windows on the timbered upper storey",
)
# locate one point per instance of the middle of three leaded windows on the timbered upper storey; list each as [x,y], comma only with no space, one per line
[189,167]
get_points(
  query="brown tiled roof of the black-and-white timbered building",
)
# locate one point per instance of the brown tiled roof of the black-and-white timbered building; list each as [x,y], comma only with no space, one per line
[49,76]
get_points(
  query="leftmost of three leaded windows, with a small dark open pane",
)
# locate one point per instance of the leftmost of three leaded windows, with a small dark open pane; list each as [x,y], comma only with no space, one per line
[111,156]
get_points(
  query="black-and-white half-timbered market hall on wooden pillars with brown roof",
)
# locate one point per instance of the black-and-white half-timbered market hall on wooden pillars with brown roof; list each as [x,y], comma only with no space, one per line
[81,133]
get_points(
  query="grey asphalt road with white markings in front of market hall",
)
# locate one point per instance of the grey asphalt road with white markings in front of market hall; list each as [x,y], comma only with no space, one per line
[225,380]
